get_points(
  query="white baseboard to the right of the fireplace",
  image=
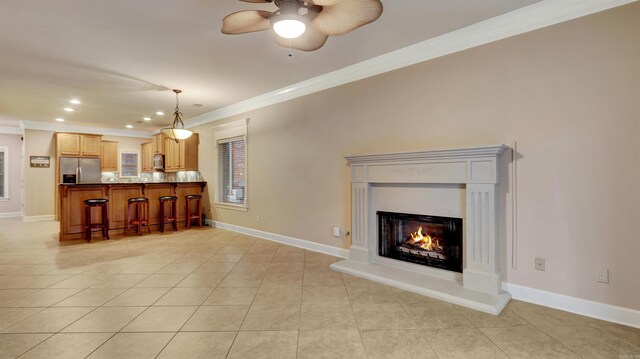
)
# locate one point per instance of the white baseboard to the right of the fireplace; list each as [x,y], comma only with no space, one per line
[610,313]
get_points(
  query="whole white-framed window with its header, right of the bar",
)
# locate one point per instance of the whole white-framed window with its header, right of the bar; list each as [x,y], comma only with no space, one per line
[231,156]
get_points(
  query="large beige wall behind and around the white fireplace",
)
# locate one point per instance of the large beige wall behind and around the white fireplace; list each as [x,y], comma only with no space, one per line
[568,94]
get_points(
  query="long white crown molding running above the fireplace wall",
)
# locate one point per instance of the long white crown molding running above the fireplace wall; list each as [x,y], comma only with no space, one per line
[536,16]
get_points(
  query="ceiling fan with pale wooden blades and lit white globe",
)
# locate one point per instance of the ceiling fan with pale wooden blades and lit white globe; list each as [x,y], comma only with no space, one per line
[304,24]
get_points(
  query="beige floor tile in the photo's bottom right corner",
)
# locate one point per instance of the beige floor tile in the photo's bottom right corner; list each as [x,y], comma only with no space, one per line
[591,342]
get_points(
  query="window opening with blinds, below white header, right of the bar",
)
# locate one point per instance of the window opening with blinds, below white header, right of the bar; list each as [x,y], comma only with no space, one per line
[232,170]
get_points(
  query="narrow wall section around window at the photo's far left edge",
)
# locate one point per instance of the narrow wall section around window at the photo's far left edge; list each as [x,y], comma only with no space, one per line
[13,143]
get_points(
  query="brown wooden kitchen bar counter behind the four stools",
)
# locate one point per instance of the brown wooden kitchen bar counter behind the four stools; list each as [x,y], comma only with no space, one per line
[73,195]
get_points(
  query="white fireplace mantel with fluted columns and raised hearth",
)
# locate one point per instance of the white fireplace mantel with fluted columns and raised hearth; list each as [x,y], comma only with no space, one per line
[474,168]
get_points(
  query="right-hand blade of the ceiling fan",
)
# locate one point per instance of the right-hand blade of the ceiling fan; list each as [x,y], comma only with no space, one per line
[346,15]
